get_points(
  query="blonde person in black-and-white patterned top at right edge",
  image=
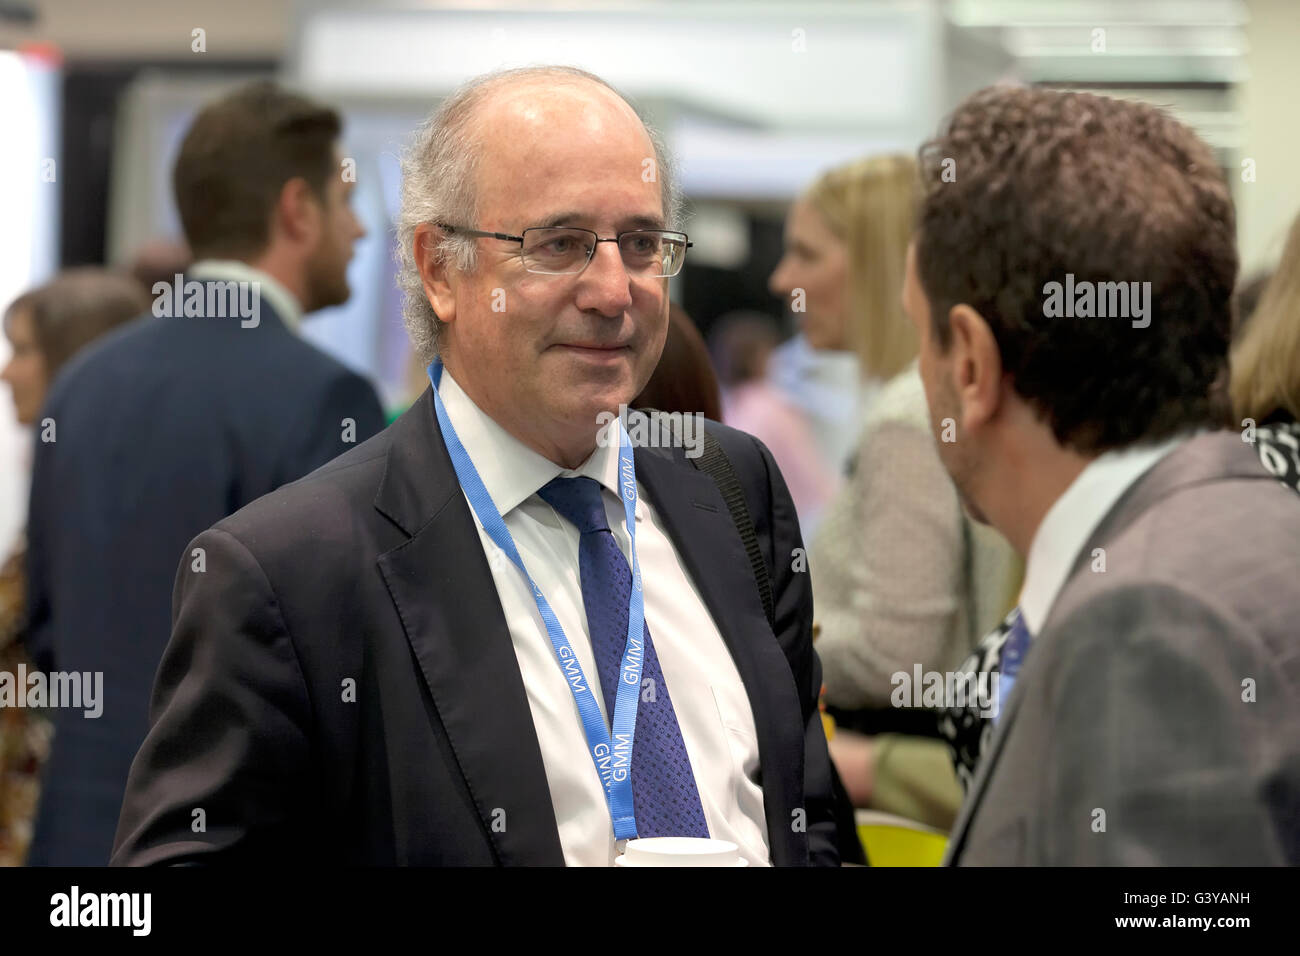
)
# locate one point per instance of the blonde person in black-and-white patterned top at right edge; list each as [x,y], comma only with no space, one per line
[1266,383]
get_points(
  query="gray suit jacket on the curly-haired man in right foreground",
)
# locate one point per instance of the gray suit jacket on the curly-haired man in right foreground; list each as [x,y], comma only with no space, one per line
[1156,719]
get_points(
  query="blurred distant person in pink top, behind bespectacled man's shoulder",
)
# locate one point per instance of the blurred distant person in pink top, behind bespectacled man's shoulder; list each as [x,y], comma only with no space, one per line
[743,345]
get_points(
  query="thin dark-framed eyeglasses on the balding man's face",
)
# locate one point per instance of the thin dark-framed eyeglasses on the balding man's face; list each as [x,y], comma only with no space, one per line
[566,252]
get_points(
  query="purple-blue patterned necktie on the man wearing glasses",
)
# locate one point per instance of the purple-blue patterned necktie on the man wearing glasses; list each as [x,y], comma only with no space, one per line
[664,786]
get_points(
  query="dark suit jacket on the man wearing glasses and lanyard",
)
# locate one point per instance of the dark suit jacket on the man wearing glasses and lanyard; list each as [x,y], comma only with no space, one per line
[370,574]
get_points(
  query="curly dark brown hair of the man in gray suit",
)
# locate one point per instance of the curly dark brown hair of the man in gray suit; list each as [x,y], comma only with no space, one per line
[1043,184]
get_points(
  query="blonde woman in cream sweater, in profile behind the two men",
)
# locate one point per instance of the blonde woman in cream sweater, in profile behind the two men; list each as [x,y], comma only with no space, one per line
[902,577]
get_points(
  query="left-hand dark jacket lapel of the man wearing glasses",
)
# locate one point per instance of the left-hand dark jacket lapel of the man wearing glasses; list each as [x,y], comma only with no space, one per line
[448,603]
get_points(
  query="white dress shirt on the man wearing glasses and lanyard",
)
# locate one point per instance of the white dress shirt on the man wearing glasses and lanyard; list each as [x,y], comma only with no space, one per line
[708,694]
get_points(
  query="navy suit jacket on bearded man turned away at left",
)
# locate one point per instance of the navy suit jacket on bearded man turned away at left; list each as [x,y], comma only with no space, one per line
[162,429]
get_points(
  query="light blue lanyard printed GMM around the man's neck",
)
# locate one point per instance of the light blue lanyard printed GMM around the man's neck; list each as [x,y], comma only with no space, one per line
[612,756]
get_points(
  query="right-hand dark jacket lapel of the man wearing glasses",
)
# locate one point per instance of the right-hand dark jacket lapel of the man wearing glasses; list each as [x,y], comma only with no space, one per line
[696,518]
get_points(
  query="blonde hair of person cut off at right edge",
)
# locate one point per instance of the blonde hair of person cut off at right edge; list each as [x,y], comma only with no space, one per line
[1267,357]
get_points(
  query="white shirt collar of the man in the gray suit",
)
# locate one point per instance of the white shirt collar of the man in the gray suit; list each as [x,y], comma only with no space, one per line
[1074,517]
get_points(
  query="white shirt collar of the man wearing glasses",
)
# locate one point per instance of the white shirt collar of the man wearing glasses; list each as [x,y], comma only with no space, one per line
[512,471]
